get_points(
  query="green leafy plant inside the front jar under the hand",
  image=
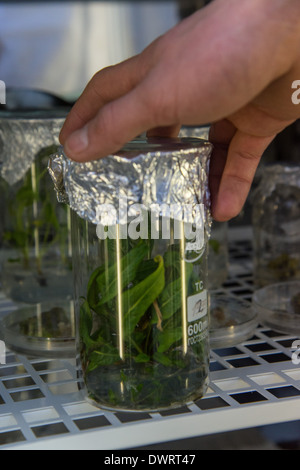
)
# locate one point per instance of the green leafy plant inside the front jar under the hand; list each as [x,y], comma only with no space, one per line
[132,330]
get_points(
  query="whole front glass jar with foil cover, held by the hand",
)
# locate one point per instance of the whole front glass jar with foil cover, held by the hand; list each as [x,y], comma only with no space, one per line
[140,275]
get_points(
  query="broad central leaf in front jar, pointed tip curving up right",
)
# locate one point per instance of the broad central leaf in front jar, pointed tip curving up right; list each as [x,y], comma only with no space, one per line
[139,298]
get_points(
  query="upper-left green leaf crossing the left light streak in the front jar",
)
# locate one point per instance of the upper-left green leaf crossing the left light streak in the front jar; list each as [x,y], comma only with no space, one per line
[103,284]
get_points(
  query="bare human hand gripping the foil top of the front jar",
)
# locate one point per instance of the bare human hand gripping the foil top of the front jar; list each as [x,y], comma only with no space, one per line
[231,64]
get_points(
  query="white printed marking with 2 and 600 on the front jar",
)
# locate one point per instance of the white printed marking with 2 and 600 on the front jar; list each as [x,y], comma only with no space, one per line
[197,317]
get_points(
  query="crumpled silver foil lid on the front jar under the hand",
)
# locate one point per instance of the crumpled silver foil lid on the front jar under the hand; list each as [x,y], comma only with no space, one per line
[146,171]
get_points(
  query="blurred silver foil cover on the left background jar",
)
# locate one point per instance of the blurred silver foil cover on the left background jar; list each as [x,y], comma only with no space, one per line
[22,136]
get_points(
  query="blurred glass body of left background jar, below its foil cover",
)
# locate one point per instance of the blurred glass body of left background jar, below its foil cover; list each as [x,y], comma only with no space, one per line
[36,238]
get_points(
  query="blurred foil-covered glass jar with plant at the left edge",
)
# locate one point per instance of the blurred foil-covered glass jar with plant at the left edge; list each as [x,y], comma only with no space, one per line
[37,264]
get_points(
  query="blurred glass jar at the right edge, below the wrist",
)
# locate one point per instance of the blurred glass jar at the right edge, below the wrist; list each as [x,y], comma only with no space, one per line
[276,225]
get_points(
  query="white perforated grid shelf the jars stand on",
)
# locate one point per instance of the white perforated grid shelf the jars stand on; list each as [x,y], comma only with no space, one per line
[254,383]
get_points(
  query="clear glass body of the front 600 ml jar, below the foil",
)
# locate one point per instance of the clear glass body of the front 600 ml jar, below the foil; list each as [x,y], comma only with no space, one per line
[143,320]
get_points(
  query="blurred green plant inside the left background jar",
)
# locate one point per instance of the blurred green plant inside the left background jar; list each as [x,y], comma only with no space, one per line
[32,215]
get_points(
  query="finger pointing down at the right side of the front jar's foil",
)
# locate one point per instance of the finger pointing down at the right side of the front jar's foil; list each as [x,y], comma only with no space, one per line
[243,157]
